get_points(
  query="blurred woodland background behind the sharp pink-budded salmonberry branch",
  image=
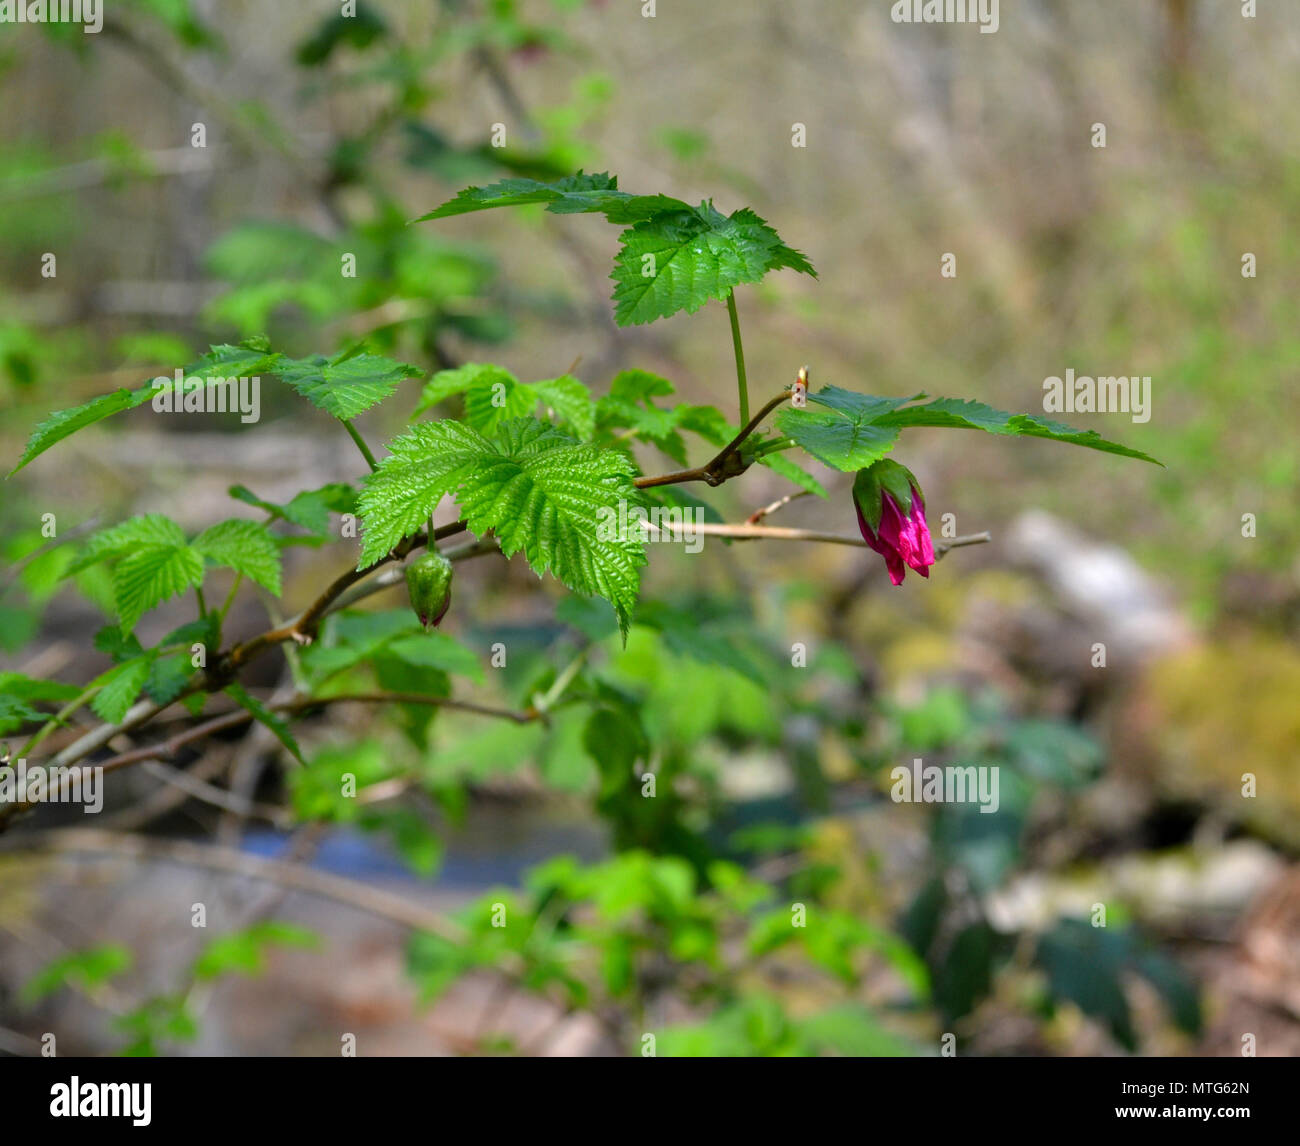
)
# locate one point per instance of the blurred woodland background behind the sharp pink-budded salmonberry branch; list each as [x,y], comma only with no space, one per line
[1123,782]
